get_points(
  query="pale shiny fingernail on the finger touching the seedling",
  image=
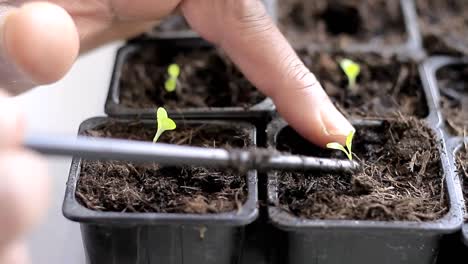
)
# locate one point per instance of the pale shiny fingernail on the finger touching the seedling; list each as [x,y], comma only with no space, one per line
[333,122]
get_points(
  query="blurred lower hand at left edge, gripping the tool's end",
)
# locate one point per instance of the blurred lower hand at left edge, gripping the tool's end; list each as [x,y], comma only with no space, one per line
[23,185]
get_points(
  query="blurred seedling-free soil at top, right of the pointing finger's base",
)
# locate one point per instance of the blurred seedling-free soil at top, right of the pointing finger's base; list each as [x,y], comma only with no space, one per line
[339,22]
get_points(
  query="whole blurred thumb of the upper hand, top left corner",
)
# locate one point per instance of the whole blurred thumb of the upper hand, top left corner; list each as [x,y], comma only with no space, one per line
[38,44]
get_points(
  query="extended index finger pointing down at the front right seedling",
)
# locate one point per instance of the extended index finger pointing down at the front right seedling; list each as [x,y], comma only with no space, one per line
[251,39]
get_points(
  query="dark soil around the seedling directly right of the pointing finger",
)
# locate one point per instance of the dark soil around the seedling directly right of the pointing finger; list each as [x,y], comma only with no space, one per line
[385,85]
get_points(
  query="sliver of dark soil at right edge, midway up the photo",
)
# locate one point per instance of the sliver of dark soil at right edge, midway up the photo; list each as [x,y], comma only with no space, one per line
[453,83]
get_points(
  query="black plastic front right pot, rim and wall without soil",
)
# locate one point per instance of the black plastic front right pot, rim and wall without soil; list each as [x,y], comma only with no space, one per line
[362,242]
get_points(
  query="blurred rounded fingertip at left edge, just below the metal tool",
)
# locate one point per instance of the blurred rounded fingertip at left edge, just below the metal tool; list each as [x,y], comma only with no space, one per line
[23,193]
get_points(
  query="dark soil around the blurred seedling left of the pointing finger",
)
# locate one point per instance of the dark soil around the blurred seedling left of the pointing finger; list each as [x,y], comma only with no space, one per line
[207,79]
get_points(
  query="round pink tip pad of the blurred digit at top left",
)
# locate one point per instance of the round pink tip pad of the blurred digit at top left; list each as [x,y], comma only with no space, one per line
[42,39]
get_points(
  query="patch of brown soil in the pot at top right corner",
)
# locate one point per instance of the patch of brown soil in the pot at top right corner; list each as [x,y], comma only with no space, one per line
[444,25]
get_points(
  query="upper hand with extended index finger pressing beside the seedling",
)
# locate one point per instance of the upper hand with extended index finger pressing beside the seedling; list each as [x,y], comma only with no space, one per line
[42,39]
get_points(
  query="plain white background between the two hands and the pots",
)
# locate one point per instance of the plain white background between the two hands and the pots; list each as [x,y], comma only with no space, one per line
[59,109]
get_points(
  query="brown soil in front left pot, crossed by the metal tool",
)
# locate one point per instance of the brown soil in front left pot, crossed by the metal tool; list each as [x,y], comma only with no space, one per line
[133,187]
